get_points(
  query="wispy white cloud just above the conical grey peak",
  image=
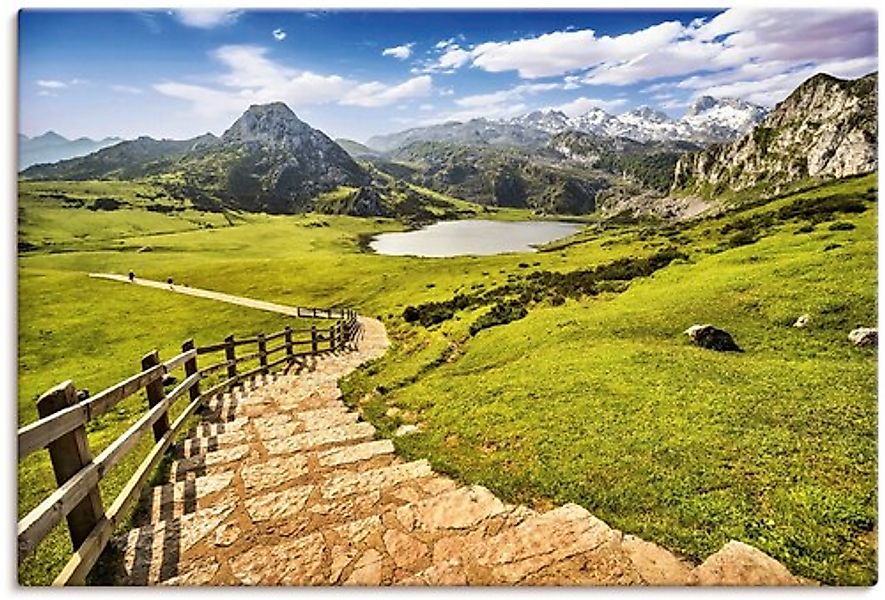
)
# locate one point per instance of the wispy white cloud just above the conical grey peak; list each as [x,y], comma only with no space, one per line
[251,77]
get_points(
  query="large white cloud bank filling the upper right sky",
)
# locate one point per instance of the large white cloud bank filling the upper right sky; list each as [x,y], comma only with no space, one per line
[751,51]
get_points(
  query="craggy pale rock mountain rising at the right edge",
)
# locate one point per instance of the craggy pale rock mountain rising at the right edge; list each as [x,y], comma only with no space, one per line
[827,128]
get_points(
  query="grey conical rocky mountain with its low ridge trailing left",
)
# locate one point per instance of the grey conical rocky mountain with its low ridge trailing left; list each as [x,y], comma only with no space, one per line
[267,160]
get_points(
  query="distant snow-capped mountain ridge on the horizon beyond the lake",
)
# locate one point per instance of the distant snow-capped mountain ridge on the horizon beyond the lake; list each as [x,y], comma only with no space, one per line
[708,120]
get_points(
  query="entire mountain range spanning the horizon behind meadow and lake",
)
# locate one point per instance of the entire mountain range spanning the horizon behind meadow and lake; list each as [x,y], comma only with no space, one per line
[641,161]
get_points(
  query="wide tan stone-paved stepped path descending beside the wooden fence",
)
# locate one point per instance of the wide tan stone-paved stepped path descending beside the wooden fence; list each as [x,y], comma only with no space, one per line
[281,485]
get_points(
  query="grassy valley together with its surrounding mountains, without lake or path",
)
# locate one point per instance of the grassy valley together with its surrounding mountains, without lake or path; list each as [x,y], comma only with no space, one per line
[553,376]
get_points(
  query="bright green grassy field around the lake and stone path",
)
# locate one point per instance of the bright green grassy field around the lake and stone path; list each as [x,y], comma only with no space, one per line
[599,400]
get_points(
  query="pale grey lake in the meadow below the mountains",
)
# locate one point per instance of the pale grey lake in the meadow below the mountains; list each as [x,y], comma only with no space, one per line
[472,237]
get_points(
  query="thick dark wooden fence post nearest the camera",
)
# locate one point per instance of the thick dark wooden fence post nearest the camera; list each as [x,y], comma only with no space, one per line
[68,455]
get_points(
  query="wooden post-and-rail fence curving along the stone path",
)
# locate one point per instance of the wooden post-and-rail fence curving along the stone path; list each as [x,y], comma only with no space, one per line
[63,418]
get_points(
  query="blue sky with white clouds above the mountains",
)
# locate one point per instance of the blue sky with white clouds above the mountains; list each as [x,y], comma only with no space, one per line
[181,73]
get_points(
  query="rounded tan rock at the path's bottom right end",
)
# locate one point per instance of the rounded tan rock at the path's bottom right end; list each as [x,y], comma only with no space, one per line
[737,563]
